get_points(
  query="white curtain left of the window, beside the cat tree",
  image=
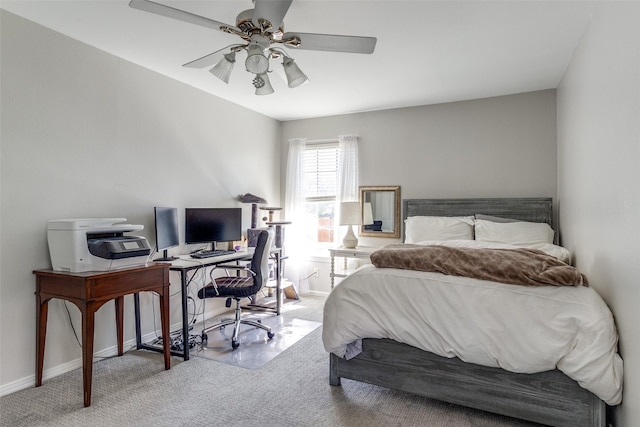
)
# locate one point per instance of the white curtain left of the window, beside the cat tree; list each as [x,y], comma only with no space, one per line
[294,212]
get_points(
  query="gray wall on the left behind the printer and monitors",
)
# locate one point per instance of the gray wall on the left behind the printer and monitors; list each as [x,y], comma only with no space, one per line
[85,134]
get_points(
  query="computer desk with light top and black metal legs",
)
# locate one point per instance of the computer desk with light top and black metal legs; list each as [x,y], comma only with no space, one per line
[185,264]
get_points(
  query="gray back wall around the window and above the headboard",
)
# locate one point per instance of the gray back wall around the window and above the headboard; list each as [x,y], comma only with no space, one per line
[494,147]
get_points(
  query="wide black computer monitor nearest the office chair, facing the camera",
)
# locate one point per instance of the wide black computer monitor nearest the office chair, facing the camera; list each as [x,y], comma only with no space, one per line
[211,225]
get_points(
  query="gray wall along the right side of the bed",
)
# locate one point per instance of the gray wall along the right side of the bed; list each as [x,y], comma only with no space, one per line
[599,174]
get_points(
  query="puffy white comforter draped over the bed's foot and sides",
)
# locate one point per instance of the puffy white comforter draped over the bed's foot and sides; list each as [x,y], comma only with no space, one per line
[517,328]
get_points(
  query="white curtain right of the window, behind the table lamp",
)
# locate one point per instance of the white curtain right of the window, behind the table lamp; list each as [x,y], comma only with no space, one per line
[347,179]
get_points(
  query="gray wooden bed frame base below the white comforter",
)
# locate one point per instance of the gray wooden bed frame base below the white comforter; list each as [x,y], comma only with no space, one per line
[549,397]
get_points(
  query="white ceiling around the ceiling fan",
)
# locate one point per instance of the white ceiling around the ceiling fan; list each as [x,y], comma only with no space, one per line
[427,51]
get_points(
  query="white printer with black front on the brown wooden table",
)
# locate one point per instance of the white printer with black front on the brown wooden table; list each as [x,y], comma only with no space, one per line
[95,244]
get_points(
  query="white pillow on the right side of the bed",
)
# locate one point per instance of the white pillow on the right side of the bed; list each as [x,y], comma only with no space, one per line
[516,233]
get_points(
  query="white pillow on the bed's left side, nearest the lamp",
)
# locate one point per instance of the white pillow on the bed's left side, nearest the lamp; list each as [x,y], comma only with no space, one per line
[419,228]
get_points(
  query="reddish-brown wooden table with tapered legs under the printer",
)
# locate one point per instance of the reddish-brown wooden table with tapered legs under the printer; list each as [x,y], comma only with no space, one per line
[89,291]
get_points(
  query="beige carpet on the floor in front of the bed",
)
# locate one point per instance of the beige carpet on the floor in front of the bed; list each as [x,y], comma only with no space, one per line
[290,390]
